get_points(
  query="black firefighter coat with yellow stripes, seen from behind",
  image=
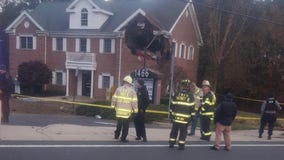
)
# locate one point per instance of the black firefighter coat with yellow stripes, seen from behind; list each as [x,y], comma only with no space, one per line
[182,106]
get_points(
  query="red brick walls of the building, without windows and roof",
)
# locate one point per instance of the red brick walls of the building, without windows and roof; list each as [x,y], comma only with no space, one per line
[106,63]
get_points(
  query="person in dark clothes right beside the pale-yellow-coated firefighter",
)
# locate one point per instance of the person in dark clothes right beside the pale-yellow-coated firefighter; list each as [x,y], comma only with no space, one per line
[139,119]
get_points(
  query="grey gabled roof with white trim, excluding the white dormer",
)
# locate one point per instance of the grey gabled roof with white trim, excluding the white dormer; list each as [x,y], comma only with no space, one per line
[52,16]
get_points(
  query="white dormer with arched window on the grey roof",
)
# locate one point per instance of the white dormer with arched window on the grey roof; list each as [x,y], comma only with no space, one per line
[85,14]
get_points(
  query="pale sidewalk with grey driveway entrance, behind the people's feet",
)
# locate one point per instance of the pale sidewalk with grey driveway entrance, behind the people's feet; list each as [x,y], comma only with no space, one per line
[76,128]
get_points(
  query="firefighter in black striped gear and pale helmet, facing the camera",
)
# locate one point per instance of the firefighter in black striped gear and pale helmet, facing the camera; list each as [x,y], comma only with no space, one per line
[207,110]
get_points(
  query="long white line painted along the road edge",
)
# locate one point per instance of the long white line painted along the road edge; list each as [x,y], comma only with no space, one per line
[130,146]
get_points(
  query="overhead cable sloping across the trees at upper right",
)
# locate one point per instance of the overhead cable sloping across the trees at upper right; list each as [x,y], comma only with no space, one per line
[239,14]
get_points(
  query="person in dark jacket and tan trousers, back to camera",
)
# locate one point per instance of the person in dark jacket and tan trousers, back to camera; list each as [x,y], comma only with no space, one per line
[224,117]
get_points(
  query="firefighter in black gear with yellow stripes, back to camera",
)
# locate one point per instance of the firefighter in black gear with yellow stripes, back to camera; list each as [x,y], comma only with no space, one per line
[181,108]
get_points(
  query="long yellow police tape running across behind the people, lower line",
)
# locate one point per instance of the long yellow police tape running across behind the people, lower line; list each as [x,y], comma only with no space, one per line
[109,107]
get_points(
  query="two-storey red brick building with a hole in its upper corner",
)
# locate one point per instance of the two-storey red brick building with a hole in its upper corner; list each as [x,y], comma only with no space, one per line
[82,42]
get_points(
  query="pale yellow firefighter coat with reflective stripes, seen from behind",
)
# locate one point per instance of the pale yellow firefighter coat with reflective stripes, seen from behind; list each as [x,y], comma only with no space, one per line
[124,101]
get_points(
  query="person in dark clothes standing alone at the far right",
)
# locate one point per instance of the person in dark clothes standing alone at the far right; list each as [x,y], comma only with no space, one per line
[268,111]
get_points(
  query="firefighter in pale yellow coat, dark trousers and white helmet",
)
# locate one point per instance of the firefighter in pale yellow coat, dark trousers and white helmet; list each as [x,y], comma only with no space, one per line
[124,101]
